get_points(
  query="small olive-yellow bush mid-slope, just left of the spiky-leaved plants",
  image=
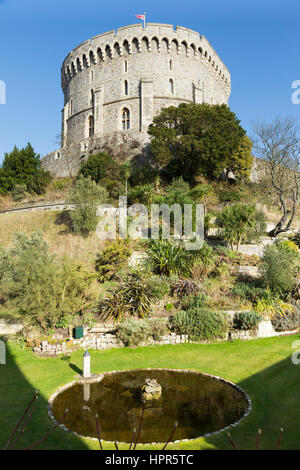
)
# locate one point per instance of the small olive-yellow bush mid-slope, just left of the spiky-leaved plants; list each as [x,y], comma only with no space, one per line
[113,258]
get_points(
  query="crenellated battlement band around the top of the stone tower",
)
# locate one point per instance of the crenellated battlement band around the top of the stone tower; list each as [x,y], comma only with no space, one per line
[134,38]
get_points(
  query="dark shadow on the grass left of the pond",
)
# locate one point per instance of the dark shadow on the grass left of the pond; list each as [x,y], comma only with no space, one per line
[15,395]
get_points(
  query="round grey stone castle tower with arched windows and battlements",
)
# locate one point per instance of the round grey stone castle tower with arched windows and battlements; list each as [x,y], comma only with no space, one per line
[115,83]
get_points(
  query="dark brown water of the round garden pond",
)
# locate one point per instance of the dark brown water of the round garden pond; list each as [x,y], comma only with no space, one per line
[199,403]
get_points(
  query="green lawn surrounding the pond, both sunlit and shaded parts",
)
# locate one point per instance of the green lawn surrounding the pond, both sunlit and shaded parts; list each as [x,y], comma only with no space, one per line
[262,367]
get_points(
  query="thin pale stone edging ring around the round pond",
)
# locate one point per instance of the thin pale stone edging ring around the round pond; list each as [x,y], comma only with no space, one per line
[99,377]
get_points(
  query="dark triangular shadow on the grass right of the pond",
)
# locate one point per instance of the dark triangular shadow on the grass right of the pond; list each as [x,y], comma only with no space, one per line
[275,399]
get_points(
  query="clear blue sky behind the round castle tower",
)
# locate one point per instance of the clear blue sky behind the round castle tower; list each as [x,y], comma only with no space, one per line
[257,40]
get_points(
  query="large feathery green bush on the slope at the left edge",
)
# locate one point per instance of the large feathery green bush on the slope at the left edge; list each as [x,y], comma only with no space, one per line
[42,290]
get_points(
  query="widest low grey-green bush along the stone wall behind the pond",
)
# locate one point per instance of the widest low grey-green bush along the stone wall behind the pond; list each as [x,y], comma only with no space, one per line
[200,324]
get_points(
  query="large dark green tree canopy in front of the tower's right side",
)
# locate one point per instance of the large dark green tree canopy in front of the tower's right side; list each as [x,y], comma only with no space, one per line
[194,139]
